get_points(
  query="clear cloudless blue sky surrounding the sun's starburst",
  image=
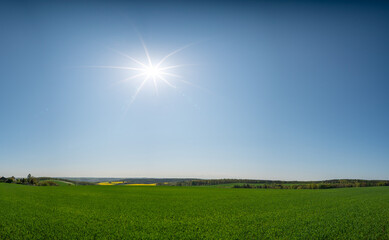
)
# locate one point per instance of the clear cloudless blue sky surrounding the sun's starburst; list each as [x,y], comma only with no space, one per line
[294,90]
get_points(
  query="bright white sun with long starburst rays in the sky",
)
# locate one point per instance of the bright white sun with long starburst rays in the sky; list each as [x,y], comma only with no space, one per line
[147,71]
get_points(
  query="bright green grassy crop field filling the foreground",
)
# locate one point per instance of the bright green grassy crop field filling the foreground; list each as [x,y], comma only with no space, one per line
[120,212]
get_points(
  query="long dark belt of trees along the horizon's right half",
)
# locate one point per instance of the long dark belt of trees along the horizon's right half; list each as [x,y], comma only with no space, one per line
[249,183]
